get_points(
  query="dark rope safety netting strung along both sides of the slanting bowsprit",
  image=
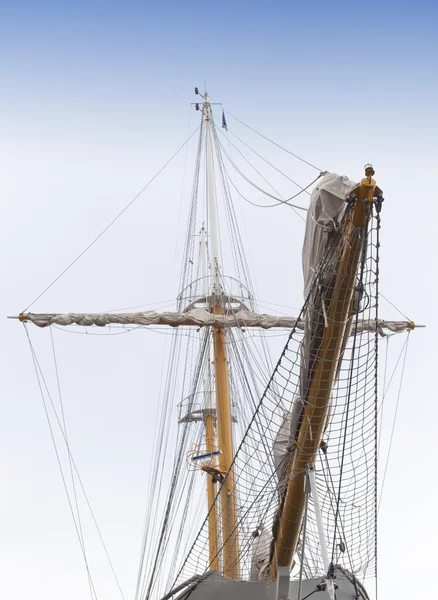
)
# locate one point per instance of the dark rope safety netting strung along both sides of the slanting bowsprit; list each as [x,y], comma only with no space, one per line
[346,465]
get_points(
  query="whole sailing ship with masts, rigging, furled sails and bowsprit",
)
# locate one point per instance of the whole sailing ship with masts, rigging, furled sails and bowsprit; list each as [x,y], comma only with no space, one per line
[274,473]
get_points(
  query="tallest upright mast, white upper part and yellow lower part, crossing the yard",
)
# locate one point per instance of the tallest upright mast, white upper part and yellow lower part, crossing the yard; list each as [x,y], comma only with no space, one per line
[230,542]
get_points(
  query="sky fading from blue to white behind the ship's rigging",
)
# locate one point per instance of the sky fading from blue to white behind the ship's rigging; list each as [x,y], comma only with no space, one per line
[96,96]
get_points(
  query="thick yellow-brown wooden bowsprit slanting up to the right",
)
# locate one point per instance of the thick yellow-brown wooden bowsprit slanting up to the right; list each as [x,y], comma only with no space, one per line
[317,401]
